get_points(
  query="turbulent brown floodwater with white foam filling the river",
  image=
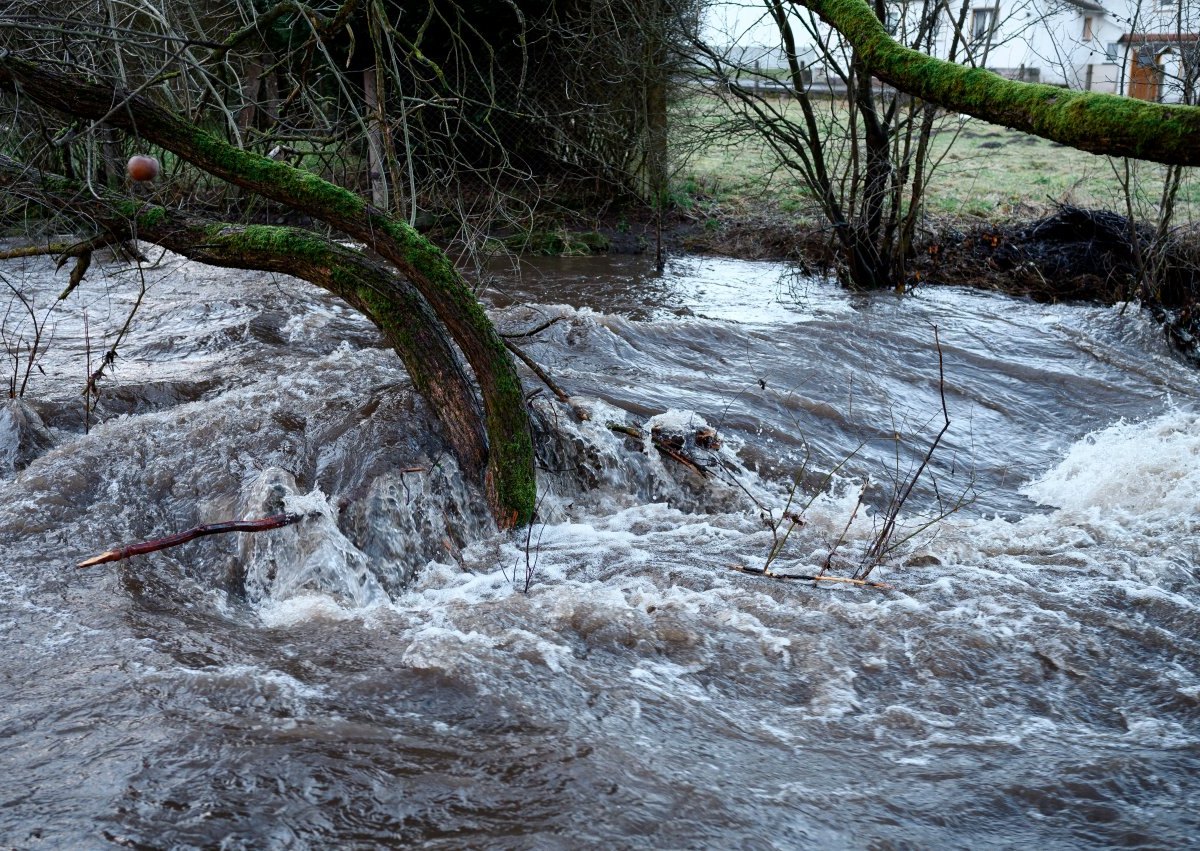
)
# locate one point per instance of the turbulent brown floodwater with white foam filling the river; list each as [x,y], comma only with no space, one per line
[391,672]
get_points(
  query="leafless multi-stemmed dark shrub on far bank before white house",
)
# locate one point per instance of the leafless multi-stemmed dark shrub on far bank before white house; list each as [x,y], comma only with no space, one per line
[863,151]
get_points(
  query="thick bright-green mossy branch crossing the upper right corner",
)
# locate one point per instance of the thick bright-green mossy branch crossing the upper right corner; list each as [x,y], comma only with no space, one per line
[1101,124]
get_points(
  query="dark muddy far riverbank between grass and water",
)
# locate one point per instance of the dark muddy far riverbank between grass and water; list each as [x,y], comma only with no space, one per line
[1057,253]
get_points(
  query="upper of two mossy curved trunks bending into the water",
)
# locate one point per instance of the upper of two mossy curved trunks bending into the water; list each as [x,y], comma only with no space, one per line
[511,482]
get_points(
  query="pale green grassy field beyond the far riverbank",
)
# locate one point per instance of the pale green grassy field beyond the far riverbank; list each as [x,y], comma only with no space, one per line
[986,172]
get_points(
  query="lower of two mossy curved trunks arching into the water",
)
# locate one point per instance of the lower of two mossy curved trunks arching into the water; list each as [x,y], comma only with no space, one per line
[373,289]
